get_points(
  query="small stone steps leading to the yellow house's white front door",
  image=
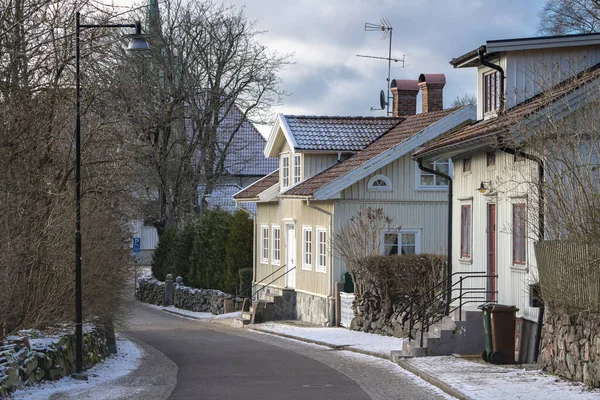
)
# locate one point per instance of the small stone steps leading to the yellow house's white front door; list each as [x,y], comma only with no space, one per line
[274,305]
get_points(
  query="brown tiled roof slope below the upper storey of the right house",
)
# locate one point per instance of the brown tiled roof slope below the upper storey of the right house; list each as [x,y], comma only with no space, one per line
[486,129]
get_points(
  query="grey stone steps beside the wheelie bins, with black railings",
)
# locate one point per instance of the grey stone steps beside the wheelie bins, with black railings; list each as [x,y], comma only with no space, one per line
[451,335]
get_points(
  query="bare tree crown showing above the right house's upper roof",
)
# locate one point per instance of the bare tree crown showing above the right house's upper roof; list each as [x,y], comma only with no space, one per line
[562,17]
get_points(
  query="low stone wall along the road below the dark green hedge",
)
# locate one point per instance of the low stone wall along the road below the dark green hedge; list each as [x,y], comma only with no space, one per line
[201,300]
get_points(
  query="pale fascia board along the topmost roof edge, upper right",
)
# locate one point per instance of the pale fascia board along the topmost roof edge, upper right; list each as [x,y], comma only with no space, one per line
[541,43]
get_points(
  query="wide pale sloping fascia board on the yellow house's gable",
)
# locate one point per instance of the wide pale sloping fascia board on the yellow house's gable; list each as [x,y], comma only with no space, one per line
[459,117]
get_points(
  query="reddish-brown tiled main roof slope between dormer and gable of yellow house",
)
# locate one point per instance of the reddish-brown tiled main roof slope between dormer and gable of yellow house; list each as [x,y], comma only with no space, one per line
[408,127]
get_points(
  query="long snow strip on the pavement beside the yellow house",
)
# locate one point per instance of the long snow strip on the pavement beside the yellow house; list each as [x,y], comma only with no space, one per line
[368,342]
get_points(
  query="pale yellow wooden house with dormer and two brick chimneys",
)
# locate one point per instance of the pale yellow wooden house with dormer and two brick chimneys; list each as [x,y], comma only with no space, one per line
[331,167]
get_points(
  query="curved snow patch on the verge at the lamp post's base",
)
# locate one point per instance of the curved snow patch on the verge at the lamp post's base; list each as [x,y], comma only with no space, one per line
[115,366]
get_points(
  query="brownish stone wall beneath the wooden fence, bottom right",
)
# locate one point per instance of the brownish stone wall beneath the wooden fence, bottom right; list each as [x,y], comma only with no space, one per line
[571,346]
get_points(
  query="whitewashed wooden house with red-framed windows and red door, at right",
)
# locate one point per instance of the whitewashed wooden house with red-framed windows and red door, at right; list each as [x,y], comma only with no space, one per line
[518,81]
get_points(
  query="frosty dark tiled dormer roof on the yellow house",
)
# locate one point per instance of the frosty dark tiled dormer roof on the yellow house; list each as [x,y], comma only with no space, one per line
[337,133]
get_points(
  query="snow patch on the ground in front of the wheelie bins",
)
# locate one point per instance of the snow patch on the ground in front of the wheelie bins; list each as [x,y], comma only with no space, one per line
[487,381]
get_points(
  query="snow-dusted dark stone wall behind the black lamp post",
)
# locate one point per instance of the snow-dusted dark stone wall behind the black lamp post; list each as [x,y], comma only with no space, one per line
[25,360]
